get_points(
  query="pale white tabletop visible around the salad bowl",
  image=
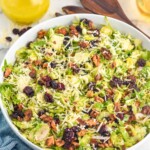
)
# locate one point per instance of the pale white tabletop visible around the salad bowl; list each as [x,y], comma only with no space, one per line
[129,6]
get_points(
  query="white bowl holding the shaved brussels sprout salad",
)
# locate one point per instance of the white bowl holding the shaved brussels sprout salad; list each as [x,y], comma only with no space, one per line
[65,20]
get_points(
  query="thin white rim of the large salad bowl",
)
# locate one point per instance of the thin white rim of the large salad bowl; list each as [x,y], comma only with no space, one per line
[32,30]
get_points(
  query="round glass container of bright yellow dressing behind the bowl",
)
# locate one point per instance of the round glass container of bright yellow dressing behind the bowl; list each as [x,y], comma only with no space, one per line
[24,11]
